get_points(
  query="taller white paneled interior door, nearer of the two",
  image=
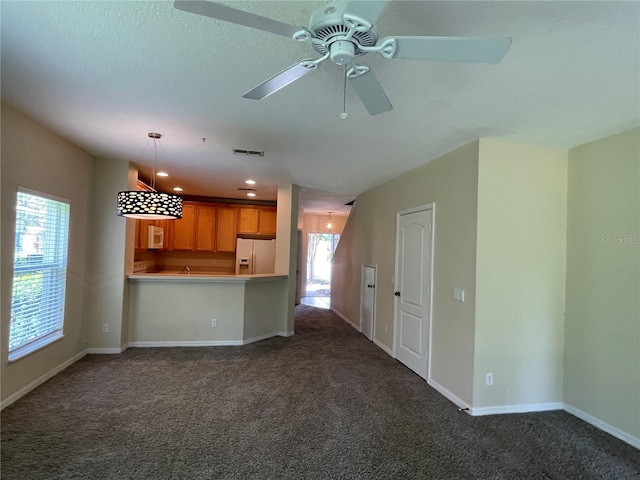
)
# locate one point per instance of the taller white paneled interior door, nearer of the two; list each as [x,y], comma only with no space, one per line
[413,288]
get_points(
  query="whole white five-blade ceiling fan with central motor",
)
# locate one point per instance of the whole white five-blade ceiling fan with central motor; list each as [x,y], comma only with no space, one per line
[342,31]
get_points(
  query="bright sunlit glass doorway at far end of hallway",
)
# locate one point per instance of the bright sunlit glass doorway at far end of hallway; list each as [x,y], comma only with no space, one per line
[320,248]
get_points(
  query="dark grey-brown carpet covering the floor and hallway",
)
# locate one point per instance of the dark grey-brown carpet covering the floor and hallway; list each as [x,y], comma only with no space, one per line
[323,404]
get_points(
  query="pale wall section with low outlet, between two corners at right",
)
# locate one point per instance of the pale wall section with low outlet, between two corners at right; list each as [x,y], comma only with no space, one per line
[520,275]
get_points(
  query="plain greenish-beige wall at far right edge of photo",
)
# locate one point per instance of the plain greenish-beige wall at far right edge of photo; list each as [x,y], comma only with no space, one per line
[602,335]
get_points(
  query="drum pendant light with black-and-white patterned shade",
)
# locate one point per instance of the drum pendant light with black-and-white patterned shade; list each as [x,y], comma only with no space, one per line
[150,205]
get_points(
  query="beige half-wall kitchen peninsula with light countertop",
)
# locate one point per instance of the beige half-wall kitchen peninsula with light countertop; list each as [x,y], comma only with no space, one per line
[174,309]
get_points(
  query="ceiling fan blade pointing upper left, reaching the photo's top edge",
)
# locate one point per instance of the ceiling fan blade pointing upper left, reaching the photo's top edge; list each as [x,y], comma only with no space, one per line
[228,14]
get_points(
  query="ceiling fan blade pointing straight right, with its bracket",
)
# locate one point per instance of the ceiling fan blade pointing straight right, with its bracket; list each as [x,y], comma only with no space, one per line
[451,49]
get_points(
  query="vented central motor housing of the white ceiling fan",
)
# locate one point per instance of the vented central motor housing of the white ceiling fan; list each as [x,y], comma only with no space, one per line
[328,27]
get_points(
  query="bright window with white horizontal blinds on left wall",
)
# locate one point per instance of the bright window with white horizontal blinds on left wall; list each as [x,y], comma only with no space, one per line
[39,272]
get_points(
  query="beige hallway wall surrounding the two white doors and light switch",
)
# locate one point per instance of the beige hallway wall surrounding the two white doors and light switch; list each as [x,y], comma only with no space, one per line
[450,182]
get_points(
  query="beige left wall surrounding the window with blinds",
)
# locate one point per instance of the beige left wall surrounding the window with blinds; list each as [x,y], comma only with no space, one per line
[36,158]
